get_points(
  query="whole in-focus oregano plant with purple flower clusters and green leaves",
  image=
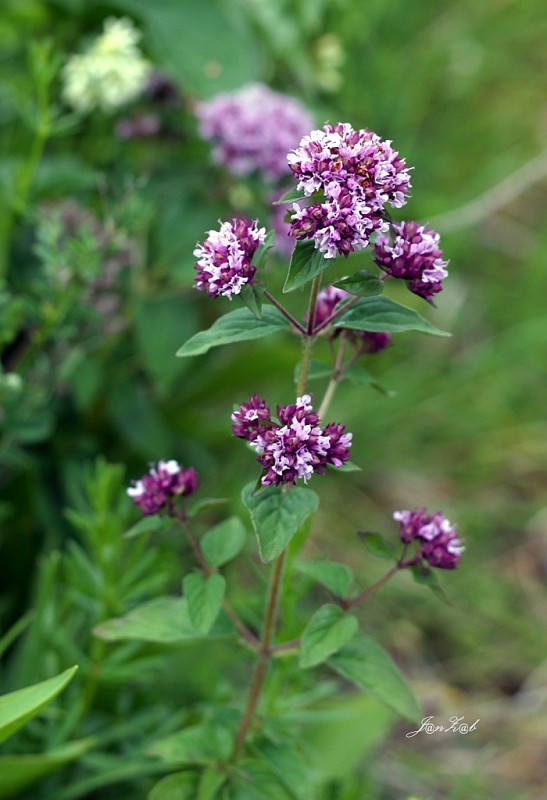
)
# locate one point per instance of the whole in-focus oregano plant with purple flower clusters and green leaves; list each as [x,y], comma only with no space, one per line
[346,180]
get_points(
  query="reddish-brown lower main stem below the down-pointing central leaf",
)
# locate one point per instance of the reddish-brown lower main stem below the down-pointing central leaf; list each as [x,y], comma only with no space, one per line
[264,655]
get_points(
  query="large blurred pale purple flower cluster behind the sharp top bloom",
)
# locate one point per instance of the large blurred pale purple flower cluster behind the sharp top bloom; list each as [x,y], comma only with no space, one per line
[253,129]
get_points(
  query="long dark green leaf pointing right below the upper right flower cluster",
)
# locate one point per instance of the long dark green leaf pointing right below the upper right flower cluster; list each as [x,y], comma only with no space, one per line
[381,314]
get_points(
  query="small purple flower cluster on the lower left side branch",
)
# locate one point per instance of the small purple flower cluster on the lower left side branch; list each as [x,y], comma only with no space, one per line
[161,486]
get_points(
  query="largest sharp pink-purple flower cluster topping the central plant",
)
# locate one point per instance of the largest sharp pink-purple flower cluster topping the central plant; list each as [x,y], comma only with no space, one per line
[358,173]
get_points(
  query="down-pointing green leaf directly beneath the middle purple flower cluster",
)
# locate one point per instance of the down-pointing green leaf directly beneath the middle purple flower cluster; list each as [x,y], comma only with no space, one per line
[277,514]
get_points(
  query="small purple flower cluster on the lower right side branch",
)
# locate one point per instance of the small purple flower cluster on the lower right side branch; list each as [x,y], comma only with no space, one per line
[438,538]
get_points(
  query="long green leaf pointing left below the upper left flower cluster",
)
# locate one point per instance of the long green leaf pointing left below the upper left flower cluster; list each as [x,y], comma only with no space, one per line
[236,326]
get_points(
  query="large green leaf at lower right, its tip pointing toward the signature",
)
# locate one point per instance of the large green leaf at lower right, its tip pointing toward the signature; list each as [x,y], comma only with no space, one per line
[366,664]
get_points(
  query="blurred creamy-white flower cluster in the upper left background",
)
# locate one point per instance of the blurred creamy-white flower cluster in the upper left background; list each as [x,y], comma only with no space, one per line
[110,73]
